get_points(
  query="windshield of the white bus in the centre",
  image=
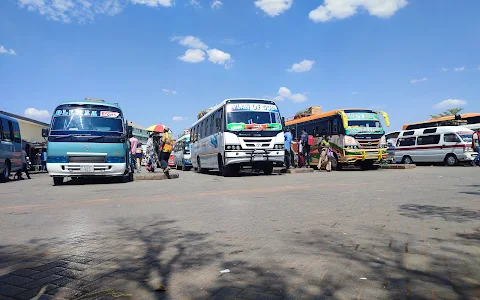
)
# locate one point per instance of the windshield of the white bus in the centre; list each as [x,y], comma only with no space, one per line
[253,117]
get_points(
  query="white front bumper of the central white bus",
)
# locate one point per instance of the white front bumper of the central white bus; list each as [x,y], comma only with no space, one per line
[254,157]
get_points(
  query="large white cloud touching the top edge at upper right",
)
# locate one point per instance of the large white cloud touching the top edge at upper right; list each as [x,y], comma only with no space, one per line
[342,9]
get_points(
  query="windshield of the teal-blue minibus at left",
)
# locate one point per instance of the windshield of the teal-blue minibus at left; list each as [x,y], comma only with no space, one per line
[83,121]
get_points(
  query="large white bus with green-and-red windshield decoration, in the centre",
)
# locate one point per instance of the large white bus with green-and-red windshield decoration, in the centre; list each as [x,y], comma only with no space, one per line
[237,133]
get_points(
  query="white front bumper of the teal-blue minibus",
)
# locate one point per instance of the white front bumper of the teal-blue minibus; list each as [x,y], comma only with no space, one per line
[80,170]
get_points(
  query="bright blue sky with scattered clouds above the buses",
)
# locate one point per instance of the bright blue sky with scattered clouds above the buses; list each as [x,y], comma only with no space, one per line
[164,60]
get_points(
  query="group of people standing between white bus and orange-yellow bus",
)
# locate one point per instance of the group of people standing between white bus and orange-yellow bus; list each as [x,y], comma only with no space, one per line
[305,144]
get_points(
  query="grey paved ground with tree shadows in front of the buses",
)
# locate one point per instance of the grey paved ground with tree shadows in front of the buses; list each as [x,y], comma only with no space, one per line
[412,234]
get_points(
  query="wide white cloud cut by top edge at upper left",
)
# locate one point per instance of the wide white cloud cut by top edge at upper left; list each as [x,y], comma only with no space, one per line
[83,10]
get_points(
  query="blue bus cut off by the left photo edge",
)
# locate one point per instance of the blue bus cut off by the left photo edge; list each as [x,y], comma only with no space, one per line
[10,147]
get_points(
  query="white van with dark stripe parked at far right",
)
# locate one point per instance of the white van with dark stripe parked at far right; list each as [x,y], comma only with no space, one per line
[447,144]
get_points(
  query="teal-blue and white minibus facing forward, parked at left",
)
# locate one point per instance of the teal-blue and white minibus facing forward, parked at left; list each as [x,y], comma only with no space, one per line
[87,138]
